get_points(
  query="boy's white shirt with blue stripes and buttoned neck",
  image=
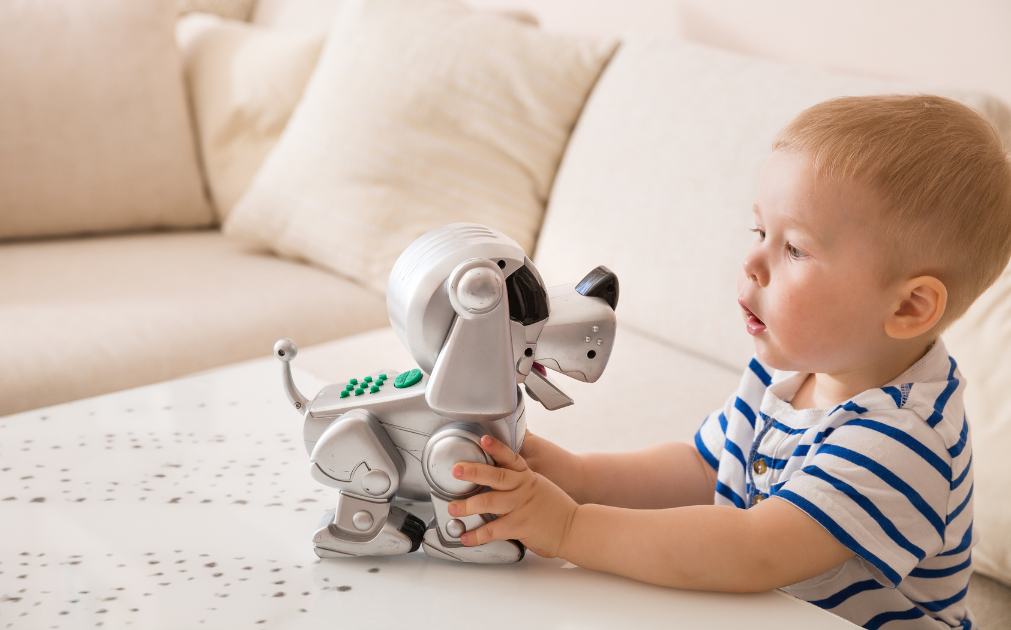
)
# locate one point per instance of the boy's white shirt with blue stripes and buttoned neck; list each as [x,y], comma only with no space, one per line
[889,474]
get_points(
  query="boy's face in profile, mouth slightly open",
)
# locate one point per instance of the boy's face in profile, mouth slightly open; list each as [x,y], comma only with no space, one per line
[810,289]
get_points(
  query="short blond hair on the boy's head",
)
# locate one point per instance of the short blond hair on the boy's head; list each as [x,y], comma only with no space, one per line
[944,174]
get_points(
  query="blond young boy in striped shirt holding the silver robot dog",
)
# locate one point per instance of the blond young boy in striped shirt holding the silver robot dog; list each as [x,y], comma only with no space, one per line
[842,469]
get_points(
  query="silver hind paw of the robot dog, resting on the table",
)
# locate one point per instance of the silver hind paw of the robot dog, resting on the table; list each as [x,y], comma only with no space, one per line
[402,533]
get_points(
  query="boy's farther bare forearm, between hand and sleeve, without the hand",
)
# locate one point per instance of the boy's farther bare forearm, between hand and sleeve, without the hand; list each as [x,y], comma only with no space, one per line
[666,476]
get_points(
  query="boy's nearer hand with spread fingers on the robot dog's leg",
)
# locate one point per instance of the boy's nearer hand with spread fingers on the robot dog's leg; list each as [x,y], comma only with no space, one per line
[532,509]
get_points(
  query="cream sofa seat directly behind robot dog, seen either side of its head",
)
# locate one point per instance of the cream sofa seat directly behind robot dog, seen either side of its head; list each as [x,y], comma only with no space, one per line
[650,394]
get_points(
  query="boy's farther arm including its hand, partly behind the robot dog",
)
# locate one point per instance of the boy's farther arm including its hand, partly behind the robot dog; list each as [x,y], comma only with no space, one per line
[666,476]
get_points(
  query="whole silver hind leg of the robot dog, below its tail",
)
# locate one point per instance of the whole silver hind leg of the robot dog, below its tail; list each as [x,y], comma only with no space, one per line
[356,457]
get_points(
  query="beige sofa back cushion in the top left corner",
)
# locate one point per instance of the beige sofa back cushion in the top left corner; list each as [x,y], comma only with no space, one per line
[94,121]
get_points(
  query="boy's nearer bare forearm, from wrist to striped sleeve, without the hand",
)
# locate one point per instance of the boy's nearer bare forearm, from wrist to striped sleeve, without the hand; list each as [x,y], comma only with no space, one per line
[702,548]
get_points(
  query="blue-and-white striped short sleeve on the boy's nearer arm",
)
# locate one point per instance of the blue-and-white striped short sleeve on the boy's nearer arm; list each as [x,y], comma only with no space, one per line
[881,487]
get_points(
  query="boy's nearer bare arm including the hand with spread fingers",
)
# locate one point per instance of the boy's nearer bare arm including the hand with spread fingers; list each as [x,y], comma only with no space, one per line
[701,548]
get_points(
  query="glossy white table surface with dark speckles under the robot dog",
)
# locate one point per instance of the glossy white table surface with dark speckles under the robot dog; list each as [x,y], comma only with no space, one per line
[190,504]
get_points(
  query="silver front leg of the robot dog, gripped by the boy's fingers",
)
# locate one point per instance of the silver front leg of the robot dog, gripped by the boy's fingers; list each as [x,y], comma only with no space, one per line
[451,444]
